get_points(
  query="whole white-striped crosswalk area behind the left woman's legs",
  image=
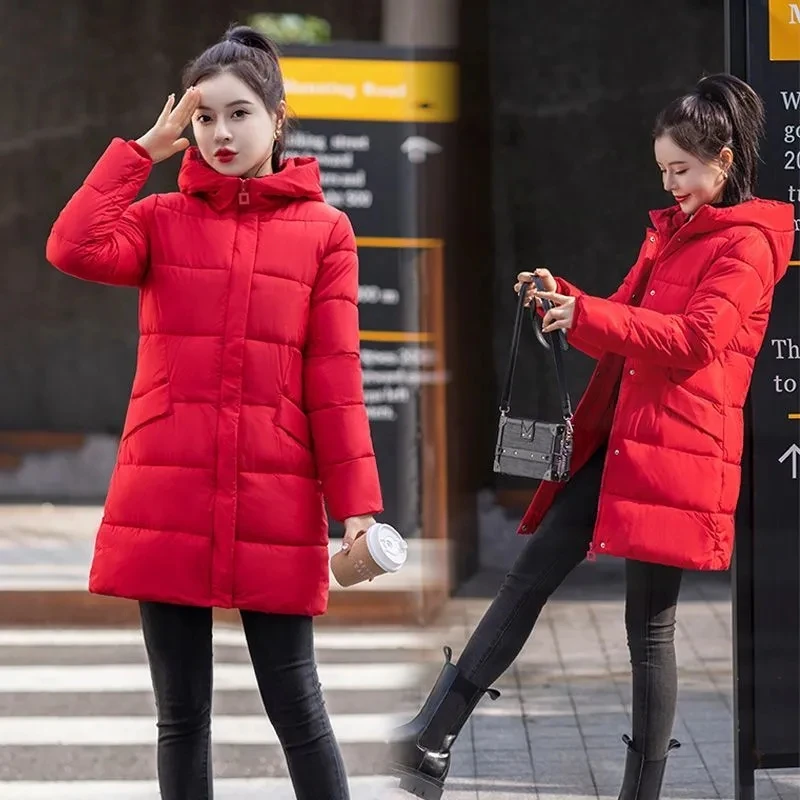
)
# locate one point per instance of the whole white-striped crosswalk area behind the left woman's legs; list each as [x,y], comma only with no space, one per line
[54,681]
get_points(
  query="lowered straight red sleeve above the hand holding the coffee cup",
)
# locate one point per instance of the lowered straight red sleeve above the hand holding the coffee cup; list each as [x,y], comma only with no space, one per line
[333,384]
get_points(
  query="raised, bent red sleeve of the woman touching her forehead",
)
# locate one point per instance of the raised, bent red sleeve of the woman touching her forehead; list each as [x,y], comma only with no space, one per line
[101,234]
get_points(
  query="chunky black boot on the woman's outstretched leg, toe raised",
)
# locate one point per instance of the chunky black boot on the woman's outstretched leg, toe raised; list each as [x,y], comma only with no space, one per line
[421,748]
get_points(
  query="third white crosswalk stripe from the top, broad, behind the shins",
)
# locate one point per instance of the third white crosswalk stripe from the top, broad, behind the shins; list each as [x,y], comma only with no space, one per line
[117,731]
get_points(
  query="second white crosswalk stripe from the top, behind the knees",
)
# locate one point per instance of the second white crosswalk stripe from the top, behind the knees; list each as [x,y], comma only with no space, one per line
[227,677]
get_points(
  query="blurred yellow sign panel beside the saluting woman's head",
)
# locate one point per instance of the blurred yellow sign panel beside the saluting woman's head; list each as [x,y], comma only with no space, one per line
[365,89]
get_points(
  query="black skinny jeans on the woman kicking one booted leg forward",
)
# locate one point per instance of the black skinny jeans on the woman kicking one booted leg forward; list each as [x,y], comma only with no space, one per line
[557,547]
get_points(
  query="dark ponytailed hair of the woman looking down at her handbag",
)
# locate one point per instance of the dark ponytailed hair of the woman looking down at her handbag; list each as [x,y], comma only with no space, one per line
[721,111]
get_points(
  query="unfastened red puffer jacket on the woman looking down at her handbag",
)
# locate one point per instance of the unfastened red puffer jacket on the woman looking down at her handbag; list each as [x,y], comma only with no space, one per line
[680,336]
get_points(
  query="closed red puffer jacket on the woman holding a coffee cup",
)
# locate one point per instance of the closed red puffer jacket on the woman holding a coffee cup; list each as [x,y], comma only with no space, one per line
[247,402]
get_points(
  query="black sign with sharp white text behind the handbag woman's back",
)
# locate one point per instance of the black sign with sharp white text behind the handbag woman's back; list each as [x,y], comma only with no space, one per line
[764,48]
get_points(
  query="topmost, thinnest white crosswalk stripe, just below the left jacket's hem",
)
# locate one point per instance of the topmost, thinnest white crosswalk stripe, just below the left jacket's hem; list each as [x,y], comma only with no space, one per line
[323,640]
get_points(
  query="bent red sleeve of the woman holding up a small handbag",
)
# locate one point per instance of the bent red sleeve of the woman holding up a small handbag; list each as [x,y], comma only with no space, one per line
[727,295]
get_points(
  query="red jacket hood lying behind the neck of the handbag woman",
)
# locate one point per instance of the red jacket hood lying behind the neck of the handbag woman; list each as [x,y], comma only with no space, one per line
[772,217]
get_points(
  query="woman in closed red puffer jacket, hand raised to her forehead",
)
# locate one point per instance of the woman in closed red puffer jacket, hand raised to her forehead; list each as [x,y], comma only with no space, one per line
[246,411]
